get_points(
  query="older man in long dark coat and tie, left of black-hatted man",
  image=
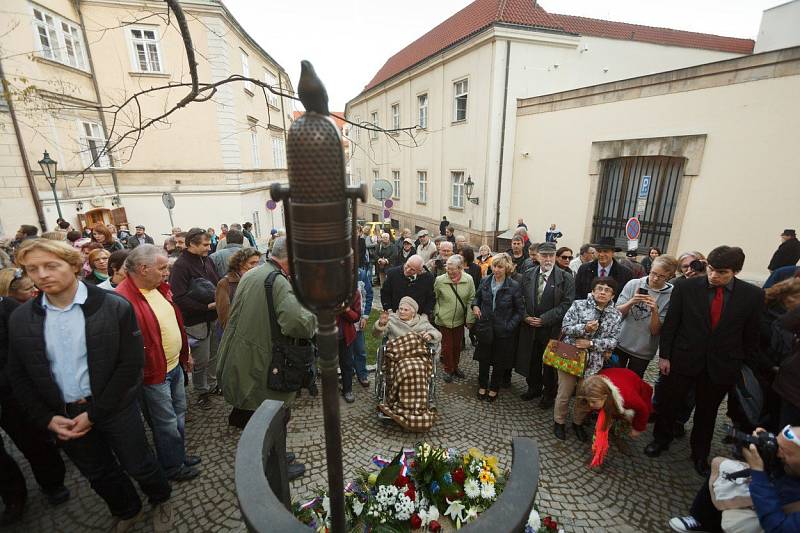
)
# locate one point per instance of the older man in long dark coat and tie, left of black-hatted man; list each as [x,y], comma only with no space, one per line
[548,293]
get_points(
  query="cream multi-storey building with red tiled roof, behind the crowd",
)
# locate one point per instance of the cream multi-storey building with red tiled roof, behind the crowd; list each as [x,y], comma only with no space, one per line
[458,85]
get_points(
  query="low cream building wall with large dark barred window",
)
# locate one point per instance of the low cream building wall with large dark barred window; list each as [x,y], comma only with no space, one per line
[716,142]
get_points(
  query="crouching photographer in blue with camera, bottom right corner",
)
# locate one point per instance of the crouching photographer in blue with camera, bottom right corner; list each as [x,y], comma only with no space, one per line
[775,502]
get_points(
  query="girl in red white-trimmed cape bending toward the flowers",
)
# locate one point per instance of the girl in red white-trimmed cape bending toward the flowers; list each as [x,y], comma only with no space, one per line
[618,394]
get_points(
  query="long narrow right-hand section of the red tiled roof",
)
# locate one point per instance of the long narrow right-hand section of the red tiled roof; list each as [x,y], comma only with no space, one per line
[650,34]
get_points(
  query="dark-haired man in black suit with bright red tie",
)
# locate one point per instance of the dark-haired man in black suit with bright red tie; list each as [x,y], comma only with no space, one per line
[711,327]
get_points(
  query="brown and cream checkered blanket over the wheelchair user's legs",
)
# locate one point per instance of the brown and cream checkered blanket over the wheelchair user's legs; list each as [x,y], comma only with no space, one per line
[407,368]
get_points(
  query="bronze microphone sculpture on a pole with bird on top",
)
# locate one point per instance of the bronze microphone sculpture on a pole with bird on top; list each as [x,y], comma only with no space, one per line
[320,228]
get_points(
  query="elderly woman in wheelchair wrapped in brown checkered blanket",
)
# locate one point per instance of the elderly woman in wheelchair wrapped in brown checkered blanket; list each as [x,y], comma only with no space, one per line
[406,367]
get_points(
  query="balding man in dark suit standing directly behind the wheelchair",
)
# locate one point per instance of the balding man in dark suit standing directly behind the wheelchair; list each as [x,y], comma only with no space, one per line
[408,280]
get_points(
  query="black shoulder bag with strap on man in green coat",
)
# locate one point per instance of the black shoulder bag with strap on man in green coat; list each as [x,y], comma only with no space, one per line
[292,364]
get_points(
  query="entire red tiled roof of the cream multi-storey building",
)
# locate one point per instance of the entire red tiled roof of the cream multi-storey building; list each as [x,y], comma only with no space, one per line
[481,14]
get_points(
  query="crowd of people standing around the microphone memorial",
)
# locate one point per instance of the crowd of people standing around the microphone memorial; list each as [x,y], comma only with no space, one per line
[101,331]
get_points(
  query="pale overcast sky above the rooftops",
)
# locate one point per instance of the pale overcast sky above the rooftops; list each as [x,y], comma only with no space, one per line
[349,40]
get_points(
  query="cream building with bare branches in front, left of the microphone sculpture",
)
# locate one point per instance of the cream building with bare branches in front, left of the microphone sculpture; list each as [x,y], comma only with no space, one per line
[70,67]
